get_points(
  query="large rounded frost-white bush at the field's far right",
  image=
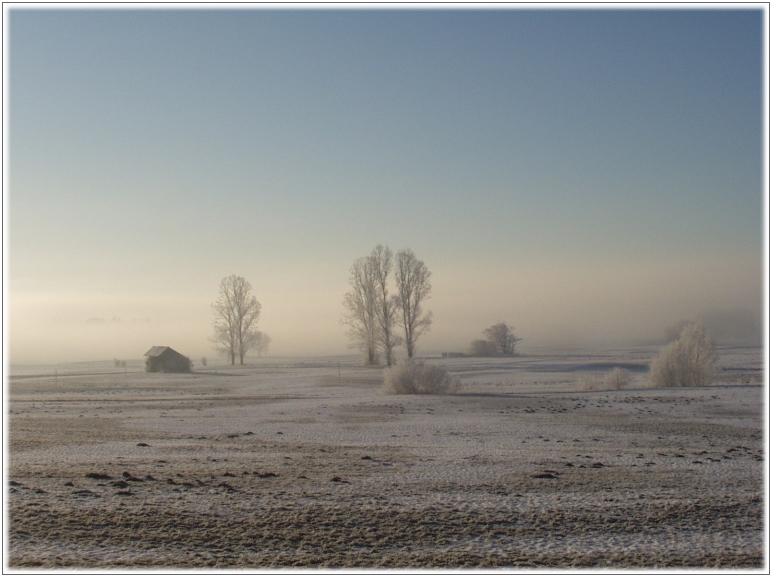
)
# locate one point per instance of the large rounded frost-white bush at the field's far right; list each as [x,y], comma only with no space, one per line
[688,362]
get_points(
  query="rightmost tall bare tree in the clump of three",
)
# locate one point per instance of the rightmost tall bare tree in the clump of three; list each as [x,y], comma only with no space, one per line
[413,288]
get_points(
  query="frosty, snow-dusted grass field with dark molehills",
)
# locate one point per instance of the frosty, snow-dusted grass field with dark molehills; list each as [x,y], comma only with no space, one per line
[304,463]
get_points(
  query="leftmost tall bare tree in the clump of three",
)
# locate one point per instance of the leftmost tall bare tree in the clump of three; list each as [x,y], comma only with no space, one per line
[361,309]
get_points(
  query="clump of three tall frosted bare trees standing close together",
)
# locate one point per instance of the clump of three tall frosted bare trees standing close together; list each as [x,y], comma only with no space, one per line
[373,313]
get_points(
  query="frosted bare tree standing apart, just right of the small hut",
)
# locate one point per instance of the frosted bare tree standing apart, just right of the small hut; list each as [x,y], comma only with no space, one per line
[236,313]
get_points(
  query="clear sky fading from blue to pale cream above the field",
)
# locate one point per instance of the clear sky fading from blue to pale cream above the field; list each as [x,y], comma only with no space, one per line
[590,177]
